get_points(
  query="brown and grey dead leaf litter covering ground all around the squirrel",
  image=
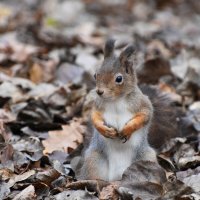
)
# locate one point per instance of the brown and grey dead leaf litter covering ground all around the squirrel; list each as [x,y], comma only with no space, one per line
[48,55]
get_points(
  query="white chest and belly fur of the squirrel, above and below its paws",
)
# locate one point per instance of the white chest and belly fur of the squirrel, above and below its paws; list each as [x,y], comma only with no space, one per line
[120,155]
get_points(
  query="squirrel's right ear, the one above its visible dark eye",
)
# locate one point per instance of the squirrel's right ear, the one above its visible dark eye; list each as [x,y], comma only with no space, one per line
[127,57]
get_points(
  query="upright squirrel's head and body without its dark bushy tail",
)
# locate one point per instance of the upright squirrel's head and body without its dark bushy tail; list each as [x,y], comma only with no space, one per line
[122,117]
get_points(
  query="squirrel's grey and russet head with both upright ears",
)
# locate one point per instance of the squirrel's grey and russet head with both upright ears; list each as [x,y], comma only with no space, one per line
[116,77]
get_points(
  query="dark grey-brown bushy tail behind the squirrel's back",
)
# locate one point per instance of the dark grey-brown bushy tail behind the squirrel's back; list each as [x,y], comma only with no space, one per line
[164,124]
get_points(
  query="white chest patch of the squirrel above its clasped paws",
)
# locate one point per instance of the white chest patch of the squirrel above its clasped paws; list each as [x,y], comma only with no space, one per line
[116,114]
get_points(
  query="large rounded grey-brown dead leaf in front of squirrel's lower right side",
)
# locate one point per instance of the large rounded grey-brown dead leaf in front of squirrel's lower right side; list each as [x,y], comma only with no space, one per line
[144,180]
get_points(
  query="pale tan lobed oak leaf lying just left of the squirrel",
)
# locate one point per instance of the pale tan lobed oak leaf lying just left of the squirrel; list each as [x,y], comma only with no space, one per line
[66,139]
